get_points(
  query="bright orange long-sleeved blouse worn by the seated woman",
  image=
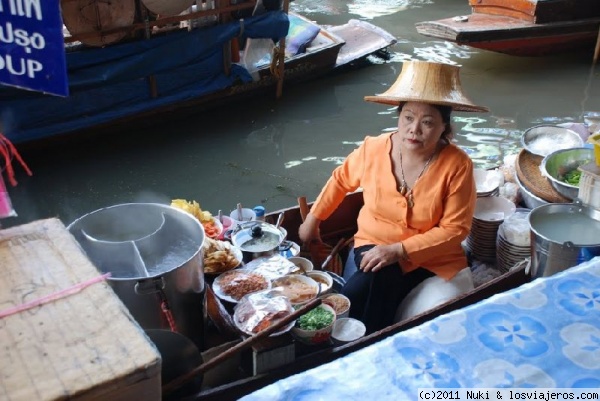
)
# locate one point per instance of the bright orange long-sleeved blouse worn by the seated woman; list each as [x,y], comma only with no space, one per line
[433,229]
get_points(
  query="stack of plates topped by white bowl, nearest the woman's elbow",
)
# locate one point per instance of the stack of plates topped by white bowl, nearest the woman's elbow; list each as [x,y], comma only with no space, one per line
[490,212]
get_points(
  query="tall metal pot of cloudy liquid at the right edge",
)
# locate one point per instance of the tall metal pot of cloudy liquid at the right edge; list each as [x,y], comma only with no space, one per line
[563,235]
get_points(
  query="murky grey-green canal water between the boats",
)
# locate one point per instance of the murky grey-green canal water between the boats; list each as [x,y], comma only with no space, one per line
[269,152]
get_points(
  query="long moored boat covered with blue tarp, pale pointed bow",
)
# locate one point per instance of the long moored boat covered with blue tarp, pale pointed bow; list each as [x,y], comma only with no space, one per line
[175,68]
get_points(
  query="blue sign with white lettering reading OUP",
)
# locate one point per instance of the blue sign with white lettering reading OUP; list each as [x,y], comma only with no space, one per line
[32,52]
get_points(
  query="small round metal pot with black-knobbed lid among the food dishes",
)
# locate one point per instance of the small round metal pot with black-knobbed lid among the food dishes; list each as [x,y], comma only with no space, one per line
[256,239]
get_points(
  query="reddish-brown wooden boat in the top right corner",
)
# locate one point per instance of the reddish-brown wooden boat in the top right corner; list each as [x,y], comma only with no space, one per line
[521,27]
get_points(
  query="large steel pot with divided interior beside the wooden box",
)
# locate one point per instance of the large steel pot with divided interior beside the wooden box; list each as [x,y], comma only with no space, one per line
[154,255]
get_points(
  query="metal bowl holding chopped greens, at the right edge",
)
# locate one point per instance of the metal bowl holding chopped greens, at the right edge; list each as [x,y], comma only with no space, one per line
[558,163]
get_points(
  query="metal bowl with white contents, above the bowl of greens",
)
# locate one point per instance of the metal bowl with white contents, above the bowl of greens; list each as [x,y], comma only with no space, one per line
[544,139]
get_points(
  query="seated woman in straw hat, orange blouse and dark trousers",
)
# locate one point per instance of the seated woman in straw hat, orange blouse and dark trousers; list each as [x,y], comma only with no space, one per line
[419,195]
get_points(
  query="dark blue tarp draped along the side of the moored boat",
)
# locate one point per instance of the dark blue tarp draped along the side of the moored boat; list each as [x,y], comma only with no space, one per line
[111,82]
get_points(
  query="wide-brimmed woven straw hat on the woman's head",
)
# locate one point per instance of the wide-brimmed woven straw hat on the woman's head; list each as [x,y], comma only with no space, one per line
[433,83]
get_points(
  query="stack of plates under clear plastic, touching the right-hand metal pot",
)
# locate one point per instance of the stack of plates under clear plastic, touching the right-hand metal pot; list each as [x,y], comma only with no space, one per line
[513,244]
